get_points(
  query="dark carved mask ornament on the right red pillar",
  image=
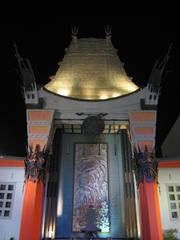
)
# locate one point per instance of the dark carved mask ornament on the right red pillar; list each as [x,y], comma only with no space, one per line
[146,166]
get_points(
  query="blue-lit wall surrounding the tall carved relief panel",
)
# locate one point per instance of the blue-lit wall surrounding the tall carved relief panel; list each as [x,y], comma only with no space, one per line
[64,222]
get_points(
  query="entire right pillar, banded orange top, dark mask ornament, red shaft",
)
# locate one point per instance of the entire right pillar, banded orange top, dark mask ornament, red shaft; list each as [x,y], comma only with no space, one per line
[142,127]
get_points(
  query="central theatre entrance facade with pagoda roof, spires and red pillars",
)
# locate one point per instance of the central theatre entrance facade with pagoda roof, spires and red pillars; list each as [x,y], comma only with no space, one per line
[91,136]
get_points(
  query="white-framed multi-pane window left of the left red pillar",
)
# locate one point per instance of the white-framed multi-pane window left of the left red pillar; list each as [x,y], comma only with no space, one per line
[7,191]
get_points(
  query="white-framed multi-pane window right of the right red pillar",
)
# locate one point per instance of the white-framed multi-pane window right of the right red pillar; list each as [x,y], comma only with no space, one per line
[174,201]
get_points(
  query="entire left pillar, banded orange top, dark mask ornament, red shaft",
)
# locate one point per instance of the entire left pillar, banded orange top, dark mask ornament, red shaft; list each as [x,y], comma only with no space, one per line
[39,129]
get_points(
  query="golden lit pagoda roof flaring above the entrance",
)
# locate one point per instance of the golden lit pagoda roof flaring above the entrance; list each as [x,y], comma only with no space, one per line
[91,70]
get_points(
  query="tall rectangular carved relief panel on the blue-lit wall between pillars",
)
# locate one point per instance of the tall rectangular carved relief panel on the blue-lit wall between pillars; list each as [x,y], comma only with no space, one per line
[90,185]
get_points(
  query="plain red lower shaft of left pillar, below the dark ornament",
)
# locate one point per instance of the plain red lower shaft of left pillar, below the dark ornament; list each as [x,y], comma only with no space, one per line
[32,211]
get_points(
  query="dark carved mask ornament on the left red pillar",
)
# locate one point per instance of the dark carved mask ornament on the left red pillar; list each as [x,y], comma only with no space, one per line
[36,163]
